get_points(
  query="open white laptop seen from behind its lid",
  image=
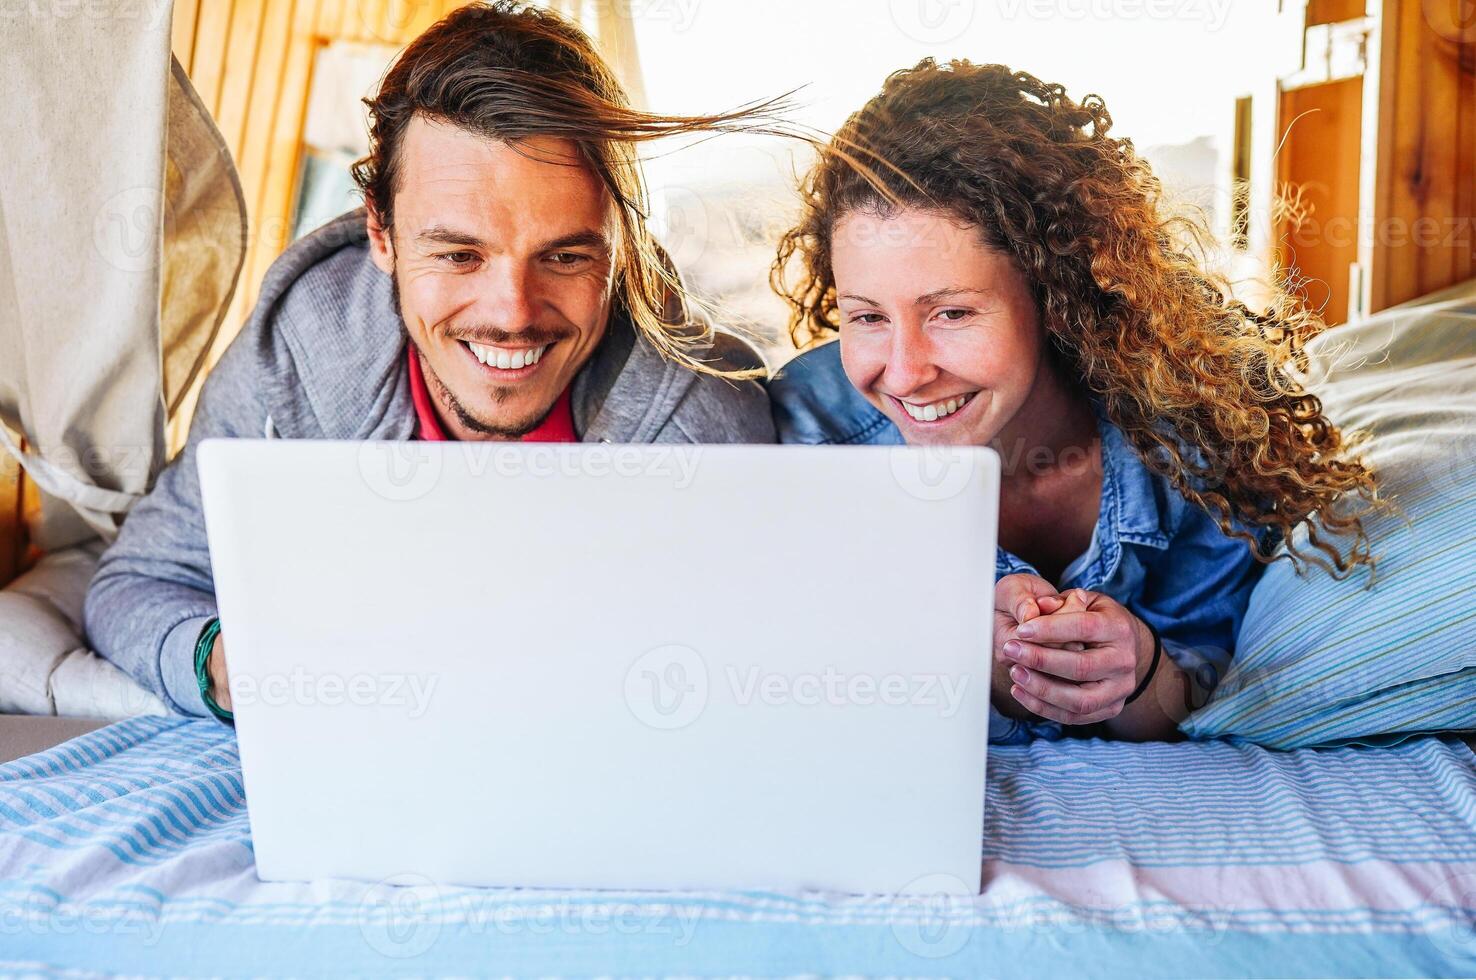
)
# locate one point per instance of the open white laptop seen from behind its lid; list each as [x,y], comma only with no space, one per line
[609,666]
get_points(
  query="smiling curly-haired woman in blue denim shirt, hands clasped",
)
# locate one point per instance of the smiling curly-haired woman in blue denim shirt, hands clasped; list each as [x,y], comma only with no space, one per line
[1001,274]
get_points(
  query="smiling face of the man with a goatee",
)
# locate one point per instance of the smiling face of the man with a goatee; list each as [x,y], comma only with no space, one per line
[503,260]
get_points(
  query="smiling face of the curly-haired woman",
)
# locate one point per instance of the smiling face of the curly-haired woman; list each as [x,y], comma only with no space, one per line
[937,330]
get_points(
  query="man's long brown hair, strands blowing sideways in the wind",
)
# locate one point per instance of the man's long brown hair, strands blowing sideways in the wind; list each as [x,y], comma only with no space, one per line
[511,72]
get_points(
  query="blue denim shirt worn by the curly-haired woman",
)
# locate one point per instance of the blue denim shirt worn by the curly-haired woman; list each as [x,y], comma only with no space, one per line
[1152,550]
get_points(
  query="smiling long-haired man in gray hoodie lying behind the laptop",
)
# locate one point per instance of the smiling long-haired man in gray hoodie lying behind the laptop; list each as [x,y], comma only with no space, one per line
[501,284]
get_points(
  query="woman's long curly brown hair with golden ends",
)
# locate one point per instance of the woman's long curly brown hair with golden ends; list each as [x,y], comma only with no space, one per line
[1204,387]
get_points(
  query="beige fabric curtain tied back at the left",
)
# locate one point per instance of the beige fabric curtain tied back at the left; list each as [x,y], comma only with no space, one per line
[122,237]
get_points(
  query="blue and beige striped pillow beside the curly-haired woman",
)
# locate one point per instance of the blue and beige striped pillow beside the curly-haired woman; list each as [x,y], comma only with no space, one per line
[1322,662]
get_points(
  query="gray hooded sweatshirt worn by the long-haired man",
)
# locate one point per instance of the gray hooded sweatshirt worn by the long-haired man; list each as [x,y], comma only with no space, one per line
[324,356]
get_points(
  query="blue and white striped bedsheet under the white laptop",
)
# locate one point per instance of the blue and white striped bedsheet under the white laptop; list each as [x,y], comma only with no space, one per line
[129,851]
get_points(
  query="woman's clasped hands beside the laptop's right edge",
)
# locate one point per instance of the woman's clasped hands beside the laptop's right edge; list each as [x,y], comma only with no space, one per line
[1080,663]
